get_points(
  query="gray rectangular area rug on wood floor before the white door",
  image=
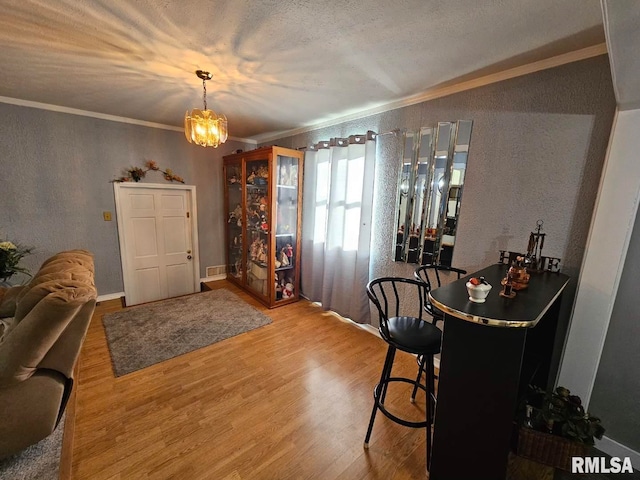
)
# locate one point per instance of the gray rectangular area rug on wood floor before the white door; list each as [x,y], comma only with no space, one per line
[144,335]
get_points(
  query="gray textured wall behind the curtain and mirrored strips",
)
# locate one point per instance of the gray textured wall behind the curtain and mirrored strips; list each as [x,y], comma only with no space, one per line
[537,150]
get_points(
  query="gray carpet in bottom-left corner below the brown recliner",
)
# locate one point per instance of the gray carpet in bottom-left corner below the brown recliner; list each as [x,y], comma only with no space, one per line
[37,462]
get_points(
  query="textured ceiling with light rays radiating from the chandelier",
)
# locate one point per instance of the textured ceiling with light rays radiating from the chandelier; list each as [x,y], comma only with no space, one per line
[277,65]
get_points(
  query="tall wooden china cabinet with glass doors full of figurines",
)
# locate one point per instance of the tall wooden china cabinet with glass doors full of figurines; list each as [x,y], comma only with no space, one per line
[263,201]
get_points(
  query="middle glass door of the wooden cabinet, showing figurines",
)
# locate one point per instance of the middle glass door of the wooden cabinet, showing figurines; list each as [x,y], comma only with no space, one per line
[257,225]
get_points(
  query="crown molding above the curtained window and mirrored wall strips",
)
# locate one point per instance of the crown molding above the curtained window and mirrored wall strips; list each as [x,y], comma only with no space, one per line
[443,91]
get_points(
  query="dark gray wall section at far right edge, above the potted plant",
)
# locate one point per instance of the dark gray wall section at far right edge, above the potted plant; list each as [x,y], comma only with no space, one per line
[616,391]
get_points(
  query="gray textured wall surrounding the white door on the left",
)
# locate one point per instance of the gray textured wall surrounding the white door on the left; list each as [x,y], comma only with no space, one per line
[54,184]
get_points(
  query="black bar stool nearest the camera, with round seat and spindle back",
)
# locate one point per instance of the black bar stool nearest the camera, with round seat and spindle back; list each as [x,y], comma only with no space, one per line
[392,297]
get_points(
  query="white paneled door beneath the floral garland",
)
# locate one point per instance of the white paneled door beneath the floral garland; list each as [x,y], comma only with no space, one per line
[156,226]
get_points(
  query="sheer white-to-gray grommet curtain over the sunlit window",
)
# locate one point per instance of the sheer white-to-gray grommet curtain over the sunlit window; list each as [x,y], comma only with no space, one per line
[336,224]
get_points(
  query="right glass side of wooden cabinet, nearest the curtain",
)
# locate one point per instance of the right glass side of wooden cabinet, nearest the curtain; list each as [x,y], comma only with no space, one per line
[286,222]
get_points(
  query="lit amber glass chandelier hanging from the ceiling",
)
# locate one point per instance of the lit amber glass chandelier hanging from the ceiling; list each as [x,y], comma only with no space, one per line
[205,127]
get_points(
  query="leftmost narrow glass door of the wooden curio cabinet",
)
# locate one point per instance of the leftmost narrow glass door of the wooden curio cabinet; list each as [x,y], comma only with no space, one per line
[233,178]
